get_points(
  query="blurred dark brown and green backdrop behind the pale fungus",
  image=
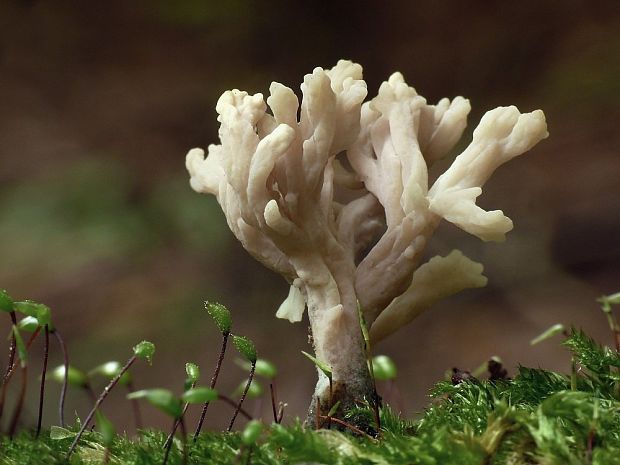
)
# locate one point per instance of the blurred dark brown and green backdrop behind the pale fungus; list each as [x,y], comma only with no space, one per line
[100,101]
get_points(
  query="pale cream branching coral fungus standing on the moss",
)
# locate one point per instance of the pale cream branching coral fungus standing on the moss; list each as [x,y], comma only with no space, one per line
[279,181]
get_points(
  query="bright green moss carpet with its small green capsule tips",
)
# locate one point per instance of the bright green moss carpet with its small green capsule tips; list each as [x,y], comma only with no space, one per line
[537,417]
